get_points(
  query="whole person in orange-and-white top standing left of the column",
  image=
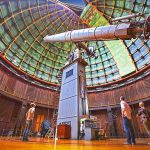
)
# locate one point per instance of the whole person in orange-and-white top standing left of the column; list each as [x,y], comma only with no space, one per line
[29,119]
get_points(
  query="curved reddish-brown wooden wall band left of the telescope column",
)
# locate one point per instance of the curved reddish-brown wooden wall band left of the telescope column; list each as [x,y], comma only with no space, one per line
[19,89]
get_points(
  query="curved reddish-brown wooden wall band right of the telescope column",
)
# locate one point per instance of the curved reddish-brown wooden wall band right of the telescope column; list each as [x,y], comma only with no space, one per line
[136,91]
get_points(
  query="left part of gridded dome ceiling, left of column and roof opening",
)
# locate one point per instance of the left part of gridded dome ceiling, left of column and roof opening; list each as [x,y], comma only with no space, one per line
[24,24]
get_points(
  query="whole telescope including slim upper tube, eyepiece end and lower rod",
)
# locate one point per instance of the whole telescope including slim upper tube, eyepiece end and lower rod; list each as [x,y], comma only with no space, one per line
[123,31]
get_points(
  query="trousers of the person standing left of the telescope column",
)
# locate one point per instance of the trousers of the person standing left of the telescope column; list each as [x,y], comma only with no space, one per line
[27,129]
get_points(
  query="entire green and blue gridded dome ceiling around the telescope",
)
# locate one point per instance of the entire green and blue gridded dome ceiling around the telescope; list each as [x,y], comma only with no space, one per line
[24,24]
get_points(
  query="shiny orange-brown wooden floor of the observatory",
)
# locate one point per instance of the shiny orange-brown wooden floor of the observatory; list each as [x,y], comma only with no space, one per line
[38,144]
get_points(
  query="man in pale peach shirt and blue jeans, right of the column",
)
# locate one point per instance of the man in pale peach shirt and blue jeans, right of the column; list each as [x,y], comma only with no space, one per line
[126,115]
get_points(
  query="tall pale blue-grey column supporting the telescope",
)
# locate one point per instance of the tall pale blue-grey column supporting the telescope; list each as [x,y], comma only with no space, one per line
[73,97]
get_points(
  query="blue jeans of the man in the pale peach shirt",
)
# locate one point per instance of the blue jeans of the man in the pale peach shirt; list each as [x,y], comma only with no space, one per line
[129,130]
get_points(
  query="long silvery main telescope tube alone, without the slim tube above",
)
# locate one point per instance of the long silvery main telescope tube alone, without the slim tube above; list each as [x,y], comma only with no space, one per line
[111,32]
